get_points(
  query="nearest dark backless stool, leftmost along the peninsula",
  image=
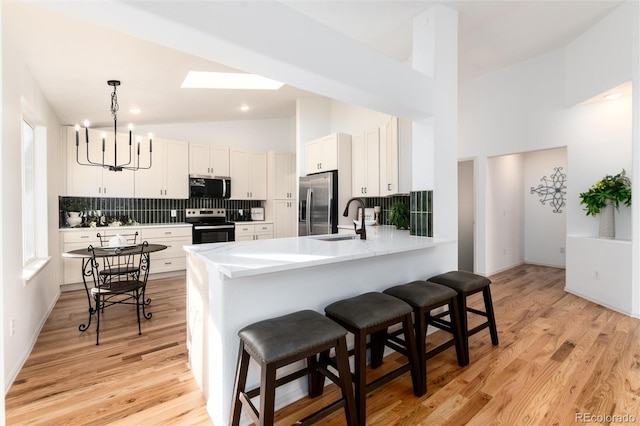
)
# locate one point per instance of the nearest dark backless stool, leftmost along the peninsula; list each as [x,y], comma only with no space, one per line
[277,342]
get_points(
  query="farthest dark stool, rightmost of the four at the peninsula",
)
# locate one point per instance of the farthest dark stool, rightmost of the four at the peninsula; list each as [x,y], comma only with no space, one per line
[467,284]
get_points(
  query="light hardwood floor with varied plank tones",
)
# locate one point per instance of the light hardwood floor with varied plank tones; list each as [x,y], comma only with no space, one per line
[560,357]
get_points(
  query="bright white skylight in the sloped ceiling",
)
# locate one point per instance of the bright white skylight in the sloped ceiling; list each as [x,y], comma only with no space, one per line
[226,80]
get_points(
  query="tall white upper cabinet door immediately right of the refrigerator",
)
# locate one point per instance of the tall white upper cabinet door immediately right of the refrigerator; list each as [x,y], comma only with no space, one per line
[365,164]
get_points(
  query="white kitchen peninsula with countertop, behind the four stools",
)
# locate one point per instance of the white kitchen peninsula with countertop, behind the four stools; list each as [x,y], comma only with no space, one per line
[231,285]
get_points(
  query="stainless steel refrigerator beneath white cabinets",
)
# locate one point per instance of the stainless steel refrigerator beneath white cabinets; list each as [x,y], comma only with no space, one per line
[318,208]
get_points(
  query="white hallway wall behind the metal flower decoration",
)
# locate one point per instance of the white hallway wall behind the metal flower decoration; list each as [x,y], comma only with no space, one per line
[544,231]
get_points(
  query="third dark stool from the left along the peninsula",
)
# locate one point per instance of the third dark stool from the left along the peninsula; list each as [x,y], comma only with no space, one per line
[423,297]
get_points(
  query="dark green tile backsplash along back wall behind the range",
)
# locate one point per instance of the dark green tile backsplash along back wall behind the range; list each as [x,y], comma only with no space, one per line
[151,210]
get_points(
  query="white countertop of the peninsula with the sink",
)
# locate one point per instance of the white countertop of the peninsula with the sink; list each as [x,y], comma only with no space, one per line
[248,258]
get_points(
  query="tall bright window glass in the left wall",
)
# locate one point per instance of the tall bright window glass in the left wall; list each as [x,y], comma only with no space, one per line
[29,235]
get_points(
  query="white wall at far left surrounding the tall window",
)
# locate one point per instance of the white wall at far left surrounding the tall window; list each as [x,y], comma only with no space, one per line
[28,303]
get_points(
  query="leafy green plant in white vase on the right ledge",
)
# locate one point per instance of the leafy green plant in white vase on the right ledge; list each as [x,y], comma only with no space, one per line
[603,196]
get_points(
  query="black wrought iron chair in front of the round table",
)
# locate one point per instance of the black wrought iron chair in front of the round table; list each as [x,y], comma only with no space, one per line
[115,286]
